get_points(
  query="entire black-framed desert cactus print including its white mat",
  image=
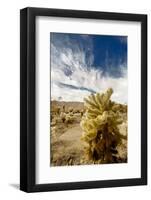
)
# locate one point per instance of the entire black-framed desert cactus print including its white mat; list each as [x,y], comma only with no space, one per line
[83,99]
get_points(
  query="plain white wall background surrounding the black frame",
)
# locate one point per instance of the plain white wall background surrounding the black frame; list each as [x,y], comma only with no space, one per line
[9,98]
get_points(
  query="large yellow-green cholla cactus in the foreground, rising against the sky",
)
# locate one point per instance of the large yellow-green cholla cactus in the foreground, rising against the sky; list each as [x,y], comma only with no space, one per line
[100,126]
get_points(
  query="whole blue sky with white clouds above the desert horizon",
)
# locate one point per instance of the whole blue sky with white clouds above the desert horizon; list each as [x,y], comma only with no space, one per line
[82,64]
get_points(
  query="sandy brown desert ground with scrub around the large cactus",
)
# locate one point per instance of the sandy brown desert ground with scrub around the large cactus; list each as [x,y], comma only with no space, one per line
[66,146]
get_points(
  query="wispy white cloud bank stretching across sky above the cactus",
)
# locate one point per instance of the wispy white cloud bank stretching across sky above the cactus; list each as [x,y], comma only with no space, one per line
[73,77]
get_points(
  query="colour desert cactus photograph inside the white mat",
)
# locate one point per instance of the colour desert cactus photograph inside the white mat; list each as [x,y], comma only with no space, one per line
[88,99]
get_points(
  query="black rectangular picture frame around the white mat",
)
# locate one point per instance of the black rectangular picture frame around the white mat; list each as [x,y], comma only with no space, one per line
[28,99]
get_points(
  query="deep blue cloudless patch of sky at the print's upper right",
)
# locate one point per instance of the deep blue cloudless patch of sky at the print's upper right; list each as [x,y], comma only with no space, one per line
[110,53]
